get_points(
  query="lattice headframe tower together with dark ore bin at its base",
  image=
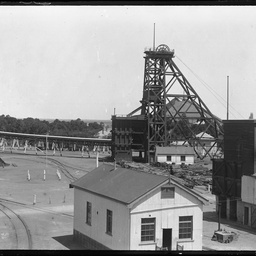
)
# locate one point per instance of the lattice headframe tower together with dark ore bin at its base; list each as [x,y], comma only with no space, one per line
[170,112]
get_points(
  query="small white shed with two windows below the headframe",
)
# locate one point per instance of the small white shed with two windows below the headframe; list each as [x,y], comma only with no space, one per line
[175,155]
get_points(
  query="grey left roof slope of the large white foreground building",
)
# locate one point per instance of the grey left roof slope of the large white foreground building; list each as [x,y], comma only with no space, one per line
[121,184]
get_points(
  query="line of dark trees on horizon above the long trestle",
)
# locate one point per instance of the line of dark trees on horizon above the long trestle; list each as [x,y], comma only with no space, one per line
[73,128]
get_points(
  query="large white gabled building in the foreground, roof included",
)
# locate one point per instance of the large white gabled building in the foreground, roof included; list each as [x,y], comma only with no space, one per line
[124,209]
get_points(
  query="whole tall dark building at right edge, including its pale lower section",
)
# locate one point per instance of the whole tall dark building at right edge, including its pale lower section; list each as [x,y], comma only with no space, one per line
[234,176]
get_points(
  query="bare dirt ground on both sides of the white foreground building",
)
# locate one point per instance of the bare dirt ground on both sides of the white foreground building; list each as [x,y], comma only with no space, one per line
[47,205]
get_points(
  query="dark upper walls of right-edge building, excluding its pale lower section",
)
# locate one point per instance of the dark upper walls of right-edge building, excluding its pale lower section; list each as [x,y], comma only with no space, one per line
[239,151]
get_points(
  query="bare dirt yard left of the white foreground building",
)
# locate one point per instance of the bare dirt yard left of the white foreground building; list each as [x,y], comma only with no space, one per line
[47,205]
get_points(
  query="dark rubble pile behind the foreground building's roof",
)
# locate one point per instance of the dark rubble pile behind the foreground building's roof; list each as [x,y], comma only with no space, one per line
[188,175]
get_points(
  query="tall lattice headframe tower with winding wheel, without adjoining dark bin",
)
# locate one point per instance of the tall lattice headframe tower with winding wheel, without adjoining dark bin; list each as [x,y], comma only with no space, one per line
[173,109]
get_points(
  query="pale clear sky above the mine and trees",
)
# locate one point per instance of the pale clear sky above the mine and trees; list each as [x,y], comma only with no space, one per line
[69,62]
